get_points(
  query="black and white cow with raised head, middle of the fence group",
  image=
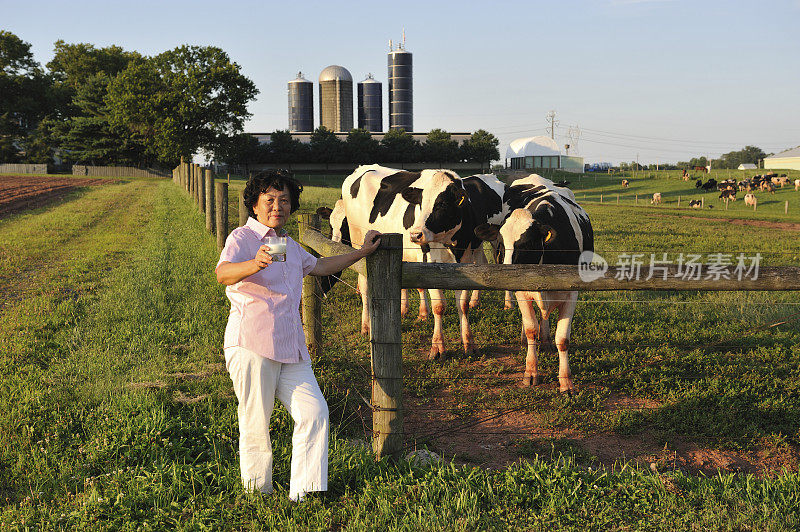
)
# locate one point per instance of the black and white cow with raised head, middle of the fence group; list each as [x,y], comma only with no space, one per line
[450,208]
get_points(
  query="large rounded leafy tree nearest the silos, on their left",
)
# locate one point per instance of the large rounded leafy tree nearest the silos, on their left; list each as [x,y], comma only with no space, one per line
[182,100]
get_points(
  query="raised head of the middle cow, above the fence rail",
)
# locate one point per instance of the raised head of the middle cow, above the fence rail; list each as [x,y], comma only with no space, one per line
[442,200]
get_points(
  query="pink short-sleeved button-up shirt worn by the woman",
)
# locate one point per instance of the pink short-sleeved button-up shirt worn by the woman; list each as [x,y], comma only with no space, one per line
[265,315]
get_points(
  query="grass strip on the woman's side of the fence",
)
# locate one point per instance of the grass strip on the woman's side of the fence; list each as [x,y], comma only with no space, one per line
[118,413]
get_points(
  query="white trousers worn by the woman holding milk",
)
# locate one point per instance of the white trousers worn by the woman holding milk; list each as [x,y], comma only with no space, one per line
[257,381]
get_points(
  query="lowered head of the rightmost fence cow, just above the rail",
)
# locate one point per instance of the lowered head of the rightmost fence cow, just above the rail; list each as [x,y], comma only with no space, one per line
[522,238]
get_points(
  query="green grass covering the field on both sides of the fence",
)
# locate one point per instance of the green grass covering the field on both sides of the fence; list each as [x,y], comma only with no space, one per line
[118,412]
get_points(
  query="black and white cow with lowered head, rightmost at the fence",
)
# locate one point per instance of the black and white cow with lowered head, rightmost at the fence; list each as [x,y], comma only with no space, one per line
[546,226]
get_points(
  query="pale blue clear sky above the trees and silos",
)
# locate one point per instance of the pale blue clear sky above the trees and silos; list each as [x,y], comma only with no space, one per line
[663,80]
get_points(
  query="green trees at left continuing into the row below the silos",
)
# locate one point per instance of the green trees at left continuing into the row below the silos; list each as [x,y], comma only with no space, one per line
[110,106]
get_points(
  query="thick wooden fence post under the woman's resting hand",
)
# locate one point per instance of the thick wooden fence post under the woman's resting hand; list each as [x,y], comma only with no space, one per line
[384,270]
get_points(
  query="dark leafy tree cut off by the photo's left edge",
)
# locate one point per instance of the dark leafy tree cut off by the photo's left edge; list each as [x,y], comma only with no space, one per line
[24,94]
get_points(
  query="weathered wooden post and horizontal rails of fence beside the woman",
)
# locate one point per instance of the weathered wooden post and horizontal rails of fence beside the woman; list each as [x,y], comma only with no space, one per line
[386,274]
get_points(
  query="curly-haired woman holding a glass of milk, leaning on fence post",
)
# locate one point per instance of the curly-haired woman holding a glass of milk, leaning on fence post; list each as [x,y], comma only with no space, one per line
[265,350]
